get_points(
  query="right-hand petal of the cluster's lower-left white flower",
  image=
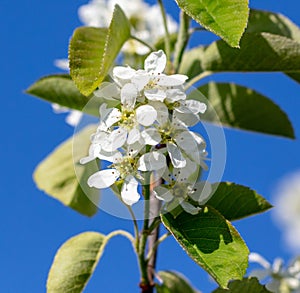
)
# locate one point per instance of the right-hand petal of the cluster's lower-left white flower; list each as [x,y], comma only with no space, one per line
[152,161]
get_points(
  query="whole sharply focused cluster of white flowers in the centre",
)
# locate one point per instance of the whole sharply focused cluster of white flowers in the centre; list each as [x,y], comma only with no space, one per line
[147,131]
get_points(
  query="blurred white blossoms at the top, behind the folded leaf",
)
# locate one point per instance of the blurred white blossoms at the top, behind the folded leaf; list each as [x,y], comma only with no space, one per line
[98,13]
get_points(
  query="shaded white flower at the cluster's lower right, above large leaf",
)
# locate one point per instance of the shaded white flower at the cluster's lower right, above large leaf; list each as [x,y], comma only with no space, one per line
[180,188]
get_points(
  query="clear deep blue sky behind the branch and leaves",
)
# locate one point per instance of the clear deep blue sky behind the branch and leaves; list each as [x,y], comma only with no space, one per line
[34,225]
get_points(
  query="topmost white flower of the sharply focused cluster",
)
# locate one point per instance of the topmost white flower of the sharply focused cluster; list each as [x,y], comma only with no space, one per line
[151,81]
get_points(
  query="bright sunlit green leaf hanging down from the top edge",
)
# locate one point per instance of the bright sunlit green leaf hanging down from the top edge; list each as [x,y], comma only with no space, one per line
[226,18]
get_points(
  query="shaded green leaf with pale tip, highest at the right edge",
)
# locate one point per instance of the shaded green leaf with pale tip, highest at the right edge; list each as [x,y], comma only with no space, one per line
[273,23]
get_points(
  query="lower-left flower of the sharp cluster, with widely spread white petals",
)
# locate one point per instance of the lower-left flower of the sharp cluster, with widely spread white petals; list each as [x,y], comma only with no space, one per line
[125,168]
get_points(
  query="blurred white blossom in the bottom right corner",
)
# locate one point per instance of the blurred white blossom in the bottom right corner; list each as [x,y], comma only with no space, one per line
[279,279]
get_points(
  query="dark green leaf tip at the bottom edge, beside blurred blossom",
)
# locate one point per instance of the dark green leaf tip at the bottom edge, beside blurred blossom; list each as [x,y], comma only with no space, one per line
[250,285]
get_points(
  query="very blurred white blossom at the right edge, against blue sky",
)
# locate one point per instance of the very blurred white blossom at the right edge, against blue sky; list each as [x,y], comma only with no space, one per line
[287,211]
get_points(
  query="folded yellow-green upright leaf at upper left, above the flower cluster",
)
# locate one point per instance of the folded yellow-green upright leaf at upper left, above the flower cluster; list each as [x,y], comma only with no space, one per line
[92,51]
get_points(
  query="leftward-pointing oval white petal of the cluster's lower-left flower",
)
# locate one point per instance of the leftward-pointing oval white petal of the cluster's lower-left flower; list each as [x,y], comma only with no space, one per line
[104,178]
